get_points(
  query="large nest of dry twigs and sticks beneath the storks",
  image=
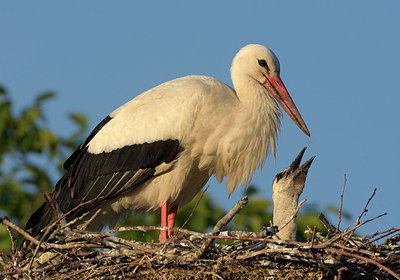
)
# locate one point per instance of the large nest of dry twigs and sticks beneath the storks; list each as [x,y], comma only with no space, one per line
[73,254]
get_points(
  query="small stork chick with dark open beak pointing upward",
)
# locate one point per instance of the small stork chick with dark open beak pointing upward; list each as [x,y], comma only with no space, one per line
[287,187]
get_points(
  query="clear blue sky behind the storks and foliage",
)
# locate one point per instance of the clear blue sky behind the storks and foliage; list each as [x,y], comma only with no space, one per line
[339,61]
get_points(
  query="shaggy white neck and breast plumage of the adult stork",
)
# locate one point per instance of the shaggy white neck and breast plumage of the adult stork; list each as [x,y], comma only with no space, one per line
[253,135]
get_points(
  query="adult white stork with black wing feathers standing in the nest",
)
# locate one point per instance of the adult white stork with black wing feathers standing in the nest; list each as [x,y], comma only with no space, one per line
[159,149]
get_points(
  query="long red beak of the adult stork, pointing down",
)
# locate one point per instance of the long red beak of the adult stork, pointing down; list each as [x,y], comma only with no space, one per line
[278,90]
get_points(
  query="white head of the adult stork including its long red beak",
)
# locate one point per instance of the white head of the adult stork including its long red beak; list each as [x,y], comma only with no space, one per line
[258,63]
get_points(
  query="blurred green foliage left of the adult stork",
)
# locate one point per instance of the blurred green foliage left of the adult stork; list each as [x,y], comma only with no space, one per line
[27,148]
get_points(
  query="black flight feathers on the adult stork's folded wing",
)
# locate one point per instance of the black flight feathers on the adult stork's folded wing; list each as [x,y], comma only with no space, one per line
[104,176]
